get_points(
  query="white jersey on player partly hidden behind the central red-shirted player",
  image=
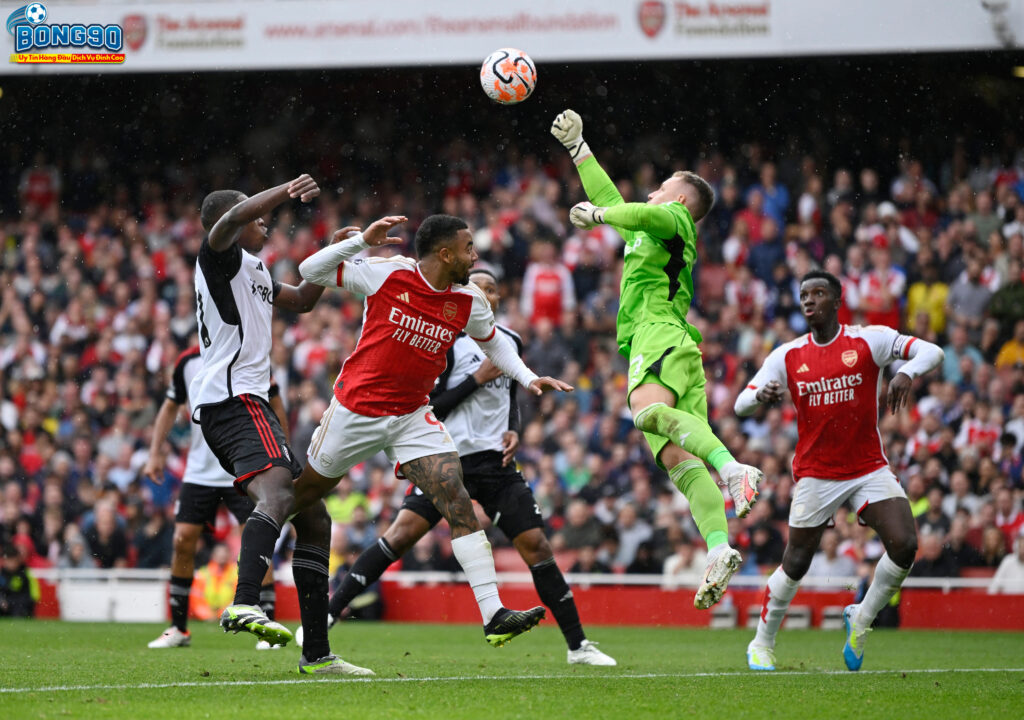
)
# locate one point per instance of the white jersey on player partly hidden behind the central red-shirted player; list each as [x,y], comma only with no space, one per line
[479,420]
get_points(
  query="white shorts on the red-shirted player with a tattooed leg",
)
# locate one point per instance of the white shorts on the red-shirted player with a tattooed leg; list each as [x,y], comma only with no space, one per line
[345,439]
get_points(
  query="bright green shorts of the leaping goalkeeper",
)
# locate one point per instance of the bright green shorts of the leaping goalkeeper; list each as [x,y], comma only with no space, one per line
[667,355]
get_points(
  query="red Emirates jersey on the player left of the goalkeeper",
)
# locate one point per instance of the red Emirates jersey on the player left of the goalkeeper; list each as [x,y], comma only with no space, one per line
[408,328]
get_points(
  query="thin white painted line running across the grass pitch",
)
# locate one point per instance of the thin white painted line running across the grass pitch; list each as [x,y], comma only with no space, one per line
[465,679]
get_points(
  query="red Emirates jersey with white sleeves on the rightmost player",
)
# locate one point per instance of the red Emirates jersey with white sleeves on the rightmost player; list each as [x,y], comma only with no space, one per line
[835,389]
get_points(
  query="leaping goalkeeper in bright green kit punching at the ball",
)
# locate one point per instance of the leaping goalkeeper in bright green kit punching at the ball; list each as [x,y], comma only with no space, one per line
[666,374]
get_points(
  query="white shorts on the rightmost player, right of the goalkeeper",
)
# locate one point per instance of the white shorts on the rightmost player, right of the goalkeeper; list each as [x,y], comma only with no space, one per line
[816,500]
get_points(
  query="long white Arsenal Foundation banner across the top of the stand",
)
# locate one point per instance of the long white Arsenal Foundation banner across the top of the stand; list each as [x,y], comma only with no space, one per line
[279,34]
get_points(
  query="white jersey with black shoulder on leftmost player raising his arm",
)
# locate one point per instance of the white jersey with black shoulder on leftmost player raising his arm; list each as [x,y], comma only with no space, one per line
[234,306]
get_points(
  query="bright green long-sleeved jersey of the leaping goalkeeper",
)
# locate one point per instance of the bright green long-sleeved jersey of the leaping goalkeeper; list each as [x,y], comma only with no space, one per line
[661,249]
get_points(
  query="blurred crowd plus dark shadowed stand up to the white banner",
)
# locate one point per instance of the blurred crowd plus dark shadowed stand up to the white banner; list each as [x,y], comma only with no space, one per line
[925,227]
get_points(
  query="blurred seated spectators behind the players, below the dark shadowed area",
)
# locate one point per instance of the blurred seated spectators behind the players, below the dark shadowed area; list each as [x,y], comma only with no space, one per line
[98,303]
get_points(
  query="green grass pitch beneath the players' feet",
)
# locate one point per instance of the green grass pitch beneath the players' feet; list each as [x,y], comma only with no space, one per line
[66,670]
